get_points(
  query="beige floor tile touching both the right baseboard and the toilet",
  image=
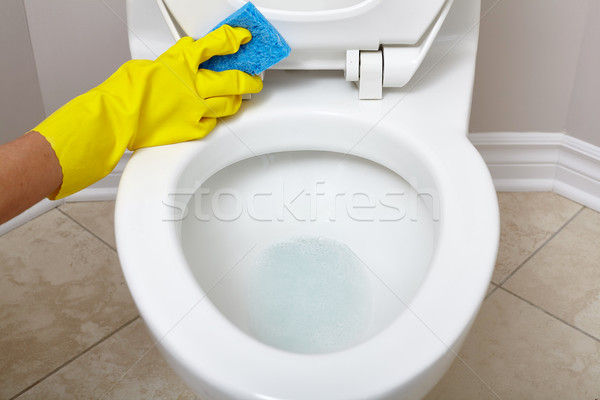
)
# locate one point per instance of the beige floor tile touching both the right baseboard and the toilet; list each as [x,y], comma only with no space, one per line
[527,220]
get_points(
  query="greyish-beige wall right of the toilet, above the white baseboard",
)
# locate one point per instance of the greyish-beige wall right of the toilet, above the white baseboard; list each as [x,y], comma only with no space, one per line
[535,68]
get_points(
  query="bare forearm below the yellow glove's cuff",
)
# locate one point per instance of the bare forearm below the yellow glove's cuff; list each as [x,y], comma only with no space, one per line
[29,172]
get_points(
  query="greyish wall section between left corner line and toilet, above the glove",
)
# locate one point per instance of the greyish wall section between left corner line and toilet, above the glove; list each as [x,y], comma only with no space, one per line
[77,45]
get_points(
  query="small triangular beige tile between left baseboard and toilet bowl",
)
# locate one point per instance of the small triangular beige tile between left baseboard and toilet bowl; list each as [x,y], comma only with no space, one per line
[97,216]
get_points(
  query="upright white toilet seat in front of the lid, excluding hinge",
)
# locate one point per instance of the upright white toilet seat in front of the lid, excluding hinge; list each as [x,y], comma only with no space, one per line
[321,31]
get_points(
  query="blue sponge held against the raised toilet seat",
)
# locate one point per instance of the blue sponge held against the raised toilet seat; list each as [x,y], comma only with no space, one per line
[266,48]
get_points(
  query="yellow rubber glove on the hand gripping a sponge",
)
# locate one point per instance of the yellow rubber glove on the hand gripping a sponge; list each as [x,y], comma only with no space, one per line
[146,103]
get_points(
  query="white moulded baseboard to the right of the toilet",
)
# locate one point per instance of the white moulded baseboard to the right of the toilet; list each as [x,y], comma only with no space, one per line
[542,162]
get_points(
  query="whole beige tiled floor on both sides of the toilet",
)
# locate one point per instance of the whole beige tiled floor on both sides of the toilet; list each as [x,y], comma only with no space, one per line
[61,290]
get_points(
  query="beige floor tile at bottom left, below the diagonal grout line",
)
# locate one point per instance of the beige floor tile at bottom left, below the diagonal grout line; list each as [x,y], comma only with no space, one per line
[111,371]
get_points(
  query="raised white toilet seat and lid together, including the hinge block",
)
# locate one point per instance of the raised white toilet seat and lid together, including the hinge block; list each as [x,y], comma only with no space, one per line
[360,38]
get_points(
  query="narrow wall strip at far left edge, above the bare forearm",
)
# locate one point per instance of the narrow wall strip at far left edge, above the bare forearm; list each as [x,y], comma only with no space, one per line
[21,105]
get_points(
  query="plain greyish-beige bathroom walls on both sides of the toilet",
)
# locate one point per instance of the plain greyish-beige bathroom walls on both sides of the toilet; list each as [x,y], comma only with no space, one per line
[536,68]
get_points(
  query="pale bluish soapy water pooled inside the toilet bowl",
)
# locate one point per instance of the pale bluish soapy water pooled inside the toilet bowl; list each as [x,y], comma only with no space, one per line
[309,294]
